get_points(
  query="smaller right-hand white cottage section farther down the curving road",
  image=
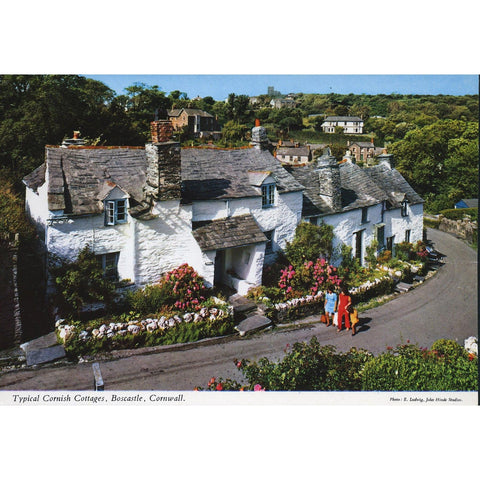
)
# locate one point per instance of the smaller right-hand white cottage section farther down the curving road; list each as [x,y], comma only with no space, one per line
[362,205]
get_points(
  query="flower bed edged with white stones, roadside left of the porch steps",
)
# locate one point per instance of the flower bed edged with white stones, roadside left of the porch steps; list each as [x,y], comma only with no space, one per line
[213,319]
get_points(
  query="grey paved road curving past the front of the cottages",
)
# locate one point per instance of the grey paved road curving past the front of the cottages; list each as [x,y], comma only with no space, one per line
[445,306]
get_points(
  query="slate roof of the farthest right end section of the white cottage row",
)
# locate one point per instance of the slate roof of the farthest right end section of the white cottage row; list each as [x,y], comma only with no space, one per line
[393,184]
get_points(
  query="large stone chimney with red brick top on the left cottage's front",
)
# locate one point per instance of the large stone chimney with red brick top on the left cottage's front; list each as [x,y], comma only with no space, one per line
[163,163]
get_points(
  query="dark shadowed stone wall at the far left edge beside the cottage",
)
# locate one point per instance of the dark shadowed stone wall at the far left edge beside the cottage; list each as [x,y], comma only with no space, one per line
[10,319]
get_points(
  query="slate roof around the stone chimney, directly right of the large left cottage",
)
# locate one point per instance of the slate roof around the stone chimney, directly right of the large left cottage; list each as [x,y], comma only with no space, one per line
[357,189]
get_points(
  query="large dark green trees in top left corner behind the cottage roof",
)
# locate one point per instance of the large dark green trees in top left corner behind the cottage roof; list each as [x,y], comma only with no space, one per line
[39,110]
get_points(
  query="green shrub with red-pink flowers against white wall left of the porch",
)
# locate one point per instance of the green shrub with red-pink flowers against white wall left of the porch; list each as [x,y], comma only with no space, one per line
[181,288]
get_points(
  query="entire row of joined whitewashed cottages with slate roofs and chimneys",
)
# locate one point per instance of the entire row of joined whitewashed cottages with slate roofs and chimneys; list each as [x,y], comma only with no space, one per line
[146,210]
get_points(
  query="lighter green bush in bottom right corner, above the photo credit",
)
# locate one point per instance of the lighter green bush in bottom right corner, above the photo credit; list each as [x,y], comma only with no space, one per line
[410,368]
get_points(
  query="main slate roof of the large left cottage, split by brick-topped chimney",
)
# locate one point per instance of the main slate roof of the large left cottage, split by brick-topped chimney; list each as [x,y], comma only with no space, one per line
[79,177]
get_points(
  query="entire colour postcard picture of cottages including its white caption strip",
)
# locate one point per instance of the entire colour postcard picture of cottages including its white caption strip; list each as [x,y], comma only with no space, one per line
[165,236]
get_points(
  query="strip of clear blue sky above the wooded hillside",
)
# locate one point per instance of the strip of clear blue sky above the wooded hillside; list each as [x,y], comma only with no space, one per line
[220,86]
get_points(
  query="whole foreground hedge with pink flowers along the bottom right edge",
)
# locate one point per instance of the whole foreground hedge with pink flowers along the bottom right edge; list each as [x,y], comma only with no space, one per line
[314,367]
